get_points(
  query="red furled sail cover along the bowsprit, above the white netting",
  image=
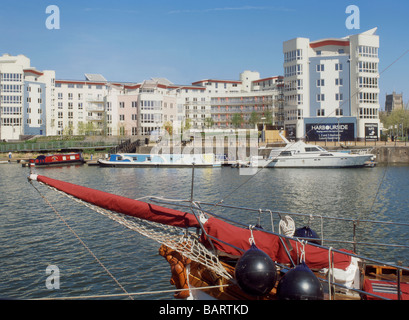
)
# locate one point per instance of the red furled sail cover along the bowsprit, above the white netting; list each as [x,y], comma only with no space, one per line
[124,205]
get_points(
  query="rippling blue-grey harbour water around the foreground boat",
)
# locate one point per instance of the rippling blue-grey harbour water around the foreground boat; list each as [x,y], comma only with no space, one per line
[33,237]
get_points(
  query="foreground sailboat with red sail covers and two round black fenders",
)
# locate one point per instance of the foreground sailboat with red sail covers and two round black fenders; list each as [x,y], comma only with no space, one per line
[211,257]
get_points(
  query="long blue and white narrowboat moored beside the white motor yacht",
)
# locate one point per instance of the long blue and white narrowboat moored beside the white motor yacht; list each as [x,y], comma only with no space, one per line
[159,160]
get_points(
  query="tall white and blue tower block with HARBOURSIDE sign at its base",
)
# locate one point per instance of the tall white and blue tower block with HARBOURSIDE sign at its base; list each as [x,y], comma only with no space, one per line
[332,88]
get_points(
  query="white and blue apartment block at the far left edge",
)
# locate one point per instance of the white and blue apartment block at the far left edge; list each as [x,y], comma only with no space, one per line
[26,98]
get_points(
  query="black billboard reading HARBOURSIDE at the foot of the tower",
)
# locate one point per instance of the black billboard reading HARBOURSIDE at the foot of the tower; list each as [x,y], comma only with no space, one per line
[330,131]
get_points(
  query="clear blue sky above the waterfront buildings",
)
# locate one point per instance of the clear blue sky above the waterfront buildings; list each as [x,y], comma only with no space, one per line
[186,41]
